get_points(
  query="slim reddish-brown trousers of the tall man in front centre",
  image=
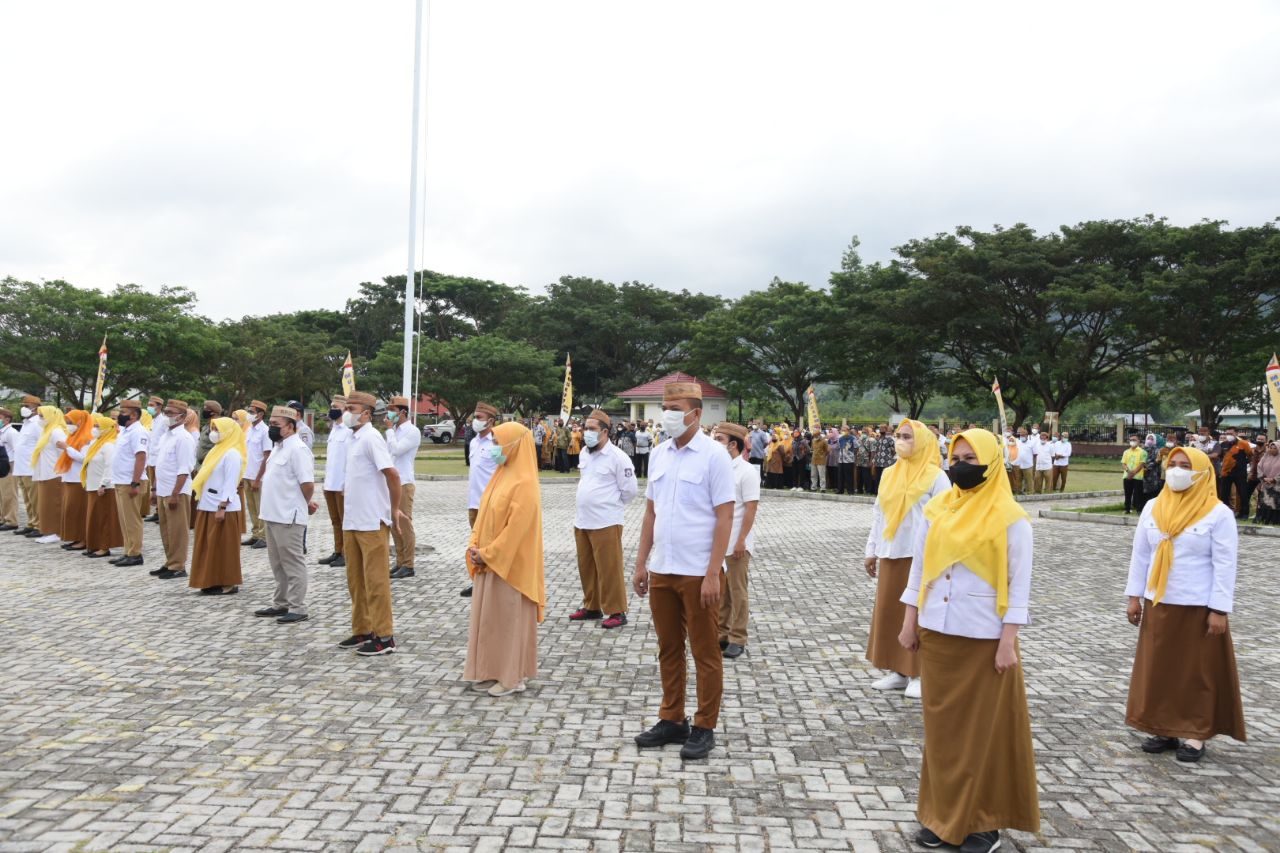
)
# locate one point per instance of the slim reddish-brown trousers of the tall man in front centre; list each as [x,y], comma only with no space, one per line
[679,614]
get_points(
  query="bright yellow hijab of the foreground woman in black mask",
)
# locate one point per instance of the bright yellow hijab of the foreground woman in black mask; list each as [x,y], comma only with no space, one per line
[972,526]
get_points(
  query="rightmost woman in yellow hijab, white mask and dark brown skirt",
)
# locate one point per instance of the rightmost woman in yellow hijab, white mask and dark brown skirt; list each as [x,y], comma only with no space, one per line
[1182,587]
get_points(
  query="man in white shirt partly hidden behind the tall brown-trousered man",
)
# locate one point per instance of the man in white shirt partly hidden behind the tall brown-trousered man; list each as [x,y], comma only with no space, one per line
[742,540]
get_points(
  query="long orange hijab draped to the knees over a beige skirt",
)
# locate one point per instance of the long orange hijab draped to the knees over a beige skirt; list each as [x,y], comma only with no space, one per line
[509,530]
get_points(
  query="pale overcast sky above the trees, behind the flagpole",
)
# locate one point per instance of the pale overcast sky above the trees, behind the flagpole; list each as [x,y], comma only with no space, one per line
[259,153]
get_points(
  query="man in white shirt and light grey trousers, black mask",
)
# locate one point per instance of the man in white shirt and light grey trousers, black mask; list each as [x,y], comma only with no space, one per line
[289,487]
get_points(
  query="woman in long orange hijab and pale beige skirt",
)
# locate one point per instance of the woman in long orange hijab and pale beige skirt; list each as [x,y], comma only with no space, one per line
[505,559]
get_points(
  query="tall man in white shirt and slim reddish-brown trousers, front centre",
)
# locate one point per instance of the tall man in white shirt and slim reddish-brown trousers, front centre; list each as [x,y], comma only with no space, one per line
[688,519]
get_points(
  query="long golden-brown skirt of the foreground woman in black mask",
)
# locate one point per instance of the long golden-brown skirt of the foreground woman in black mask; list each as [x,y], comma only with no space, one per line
[979,773]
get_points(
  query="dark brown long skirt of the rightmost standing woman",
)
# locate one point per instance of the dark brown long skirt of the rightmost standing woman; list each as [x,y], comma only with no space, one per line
[1185,683]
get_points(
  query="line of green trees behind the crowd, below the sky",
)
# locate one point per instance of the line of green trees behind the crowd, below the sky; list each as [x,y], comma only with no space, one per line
[1109,312]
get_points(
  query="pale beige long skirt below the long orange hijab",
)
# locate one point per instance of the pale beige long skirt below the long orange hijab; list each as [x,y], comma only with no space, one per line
[502,645]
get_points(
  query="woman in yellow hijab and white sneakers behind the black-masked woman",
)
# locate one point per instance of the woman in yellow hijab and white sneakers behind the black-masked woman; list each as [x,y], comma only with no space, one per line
[906,487]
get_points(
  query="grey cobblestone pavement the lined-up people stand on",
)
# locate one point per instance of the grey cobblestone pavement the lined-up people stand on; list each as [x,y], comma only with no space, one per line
[139,717]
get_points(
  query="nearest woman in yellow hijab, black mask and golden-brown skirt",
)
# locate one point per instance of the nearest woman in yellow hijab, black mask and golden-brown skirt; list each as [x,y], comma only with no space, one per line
[967,596]
